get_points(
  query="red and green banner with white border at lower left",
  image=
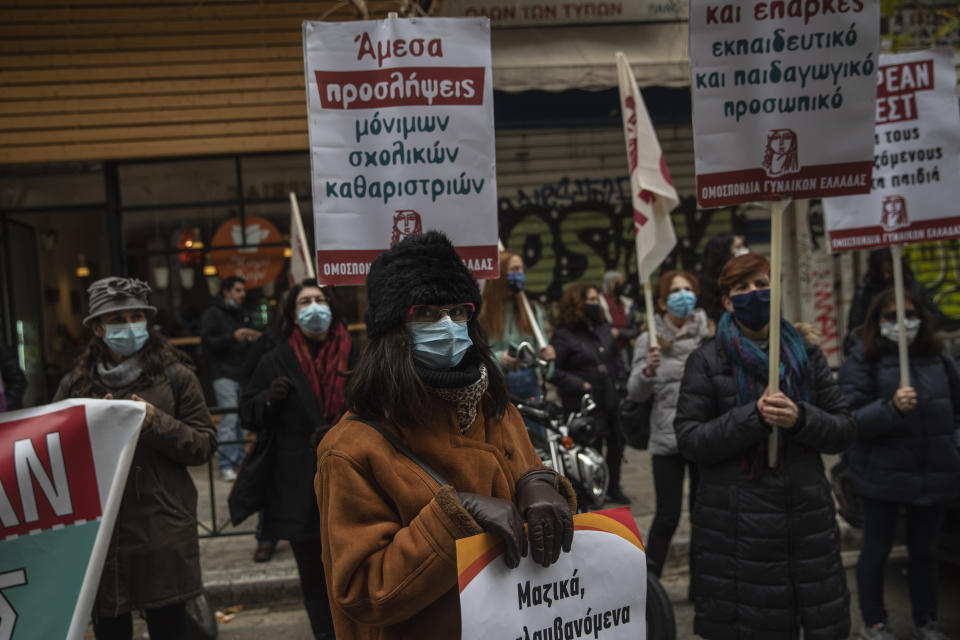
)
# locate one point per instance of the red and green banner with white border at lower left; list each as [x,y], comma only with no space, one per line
[63,468]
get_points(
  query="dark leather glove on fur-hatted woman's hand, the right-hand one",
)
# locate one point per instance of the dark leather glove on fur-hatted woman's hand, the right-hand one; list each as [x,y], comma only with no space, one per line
[547,514]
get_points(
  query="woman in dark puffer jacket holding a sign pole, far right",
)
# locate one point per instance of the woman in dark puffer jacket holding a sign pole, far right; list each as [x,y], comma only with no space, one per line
[904,454]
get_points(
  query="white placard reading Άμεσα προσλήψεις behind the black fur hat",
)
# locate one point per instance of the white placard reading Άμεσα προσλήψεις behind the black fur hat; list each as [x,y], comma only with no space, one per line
[401,139]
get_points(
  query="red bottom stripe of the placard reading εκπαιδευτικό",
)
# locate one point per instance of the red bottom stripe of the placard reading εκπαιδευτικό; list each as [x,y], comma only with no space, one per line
[754,185]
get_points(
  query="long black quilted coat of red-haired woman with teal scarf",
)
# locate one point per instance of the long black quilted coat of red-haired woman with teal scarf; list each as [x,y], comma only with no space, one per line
[768,546]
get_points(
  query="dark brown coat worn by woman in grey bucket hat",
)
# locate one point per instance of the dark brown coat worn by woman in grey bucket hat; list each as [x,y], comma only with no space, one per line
[154,555]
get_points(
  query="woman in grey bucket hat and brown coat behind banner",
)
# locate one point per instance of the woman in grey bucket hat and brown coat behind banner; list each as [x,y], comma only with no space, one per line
[153,564]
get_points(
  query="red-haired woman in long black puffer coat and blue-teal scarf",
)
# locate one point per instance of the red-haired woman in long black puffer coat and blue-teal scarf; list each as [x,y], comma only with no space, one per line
[766,540]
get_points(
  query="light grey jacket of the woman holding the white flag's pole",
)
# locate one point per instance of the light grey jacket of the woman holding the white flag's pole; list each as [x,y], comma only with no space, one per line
[664,386]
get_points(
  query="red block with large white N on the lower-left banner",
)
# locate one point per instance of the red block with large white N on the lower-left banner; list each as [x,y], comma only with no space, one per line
[53,497]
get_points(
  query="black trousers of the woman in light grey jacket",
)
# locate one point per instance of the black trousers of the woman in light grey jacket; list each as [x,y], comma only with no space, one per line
[668,474]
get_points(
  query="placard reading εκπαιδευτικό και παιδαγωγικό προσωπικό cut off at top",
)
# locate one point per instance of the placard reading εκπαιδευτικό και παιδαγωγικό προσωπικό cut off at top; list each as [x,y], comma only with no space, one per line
[783,95]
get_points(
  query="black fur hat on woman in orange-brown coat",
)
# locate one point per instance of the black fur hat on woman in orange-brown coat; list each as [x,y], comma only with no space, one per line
[420,269]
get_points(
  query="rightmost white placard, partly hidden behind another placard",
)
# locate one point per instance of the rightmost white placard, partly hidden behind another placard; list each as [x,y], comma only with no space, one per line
[916,172]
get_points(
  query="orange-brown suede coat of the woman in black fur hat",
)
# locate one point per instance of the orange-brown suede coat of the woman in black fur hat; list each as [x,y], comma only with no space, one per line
[389,531]
